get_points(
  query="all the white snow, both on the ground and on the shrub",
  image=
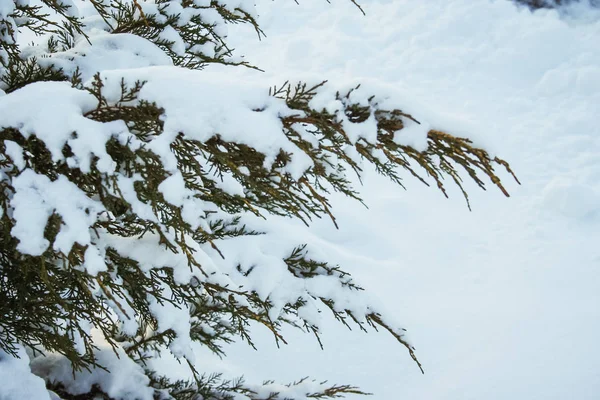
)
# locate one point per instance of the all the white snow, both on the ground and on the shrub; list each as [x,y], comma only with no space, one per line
[501,302]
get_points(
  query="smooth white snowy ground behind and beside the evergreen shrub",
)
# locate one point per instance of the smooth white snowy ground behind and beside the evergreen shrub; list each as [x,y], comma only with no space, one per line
[501,302]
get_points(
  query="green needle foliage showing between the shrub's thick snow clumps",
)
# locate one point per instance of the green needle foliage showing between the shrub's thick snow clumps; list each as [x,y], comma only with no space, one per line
[45,299]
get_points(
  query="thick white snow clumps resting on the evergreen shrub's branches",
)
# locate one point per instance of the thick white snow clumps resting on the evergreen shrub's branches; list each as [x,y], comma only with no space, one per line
[196,106]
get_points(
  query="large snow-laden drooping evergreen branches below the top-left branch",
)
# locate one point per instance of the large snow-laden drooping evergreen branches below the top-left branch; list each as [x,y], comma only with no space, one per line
[133,197]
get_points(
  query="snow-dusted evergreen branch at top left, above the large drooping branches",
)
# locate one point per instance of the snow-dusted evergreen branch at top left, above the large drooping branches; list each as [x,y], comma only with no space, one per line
[192,34]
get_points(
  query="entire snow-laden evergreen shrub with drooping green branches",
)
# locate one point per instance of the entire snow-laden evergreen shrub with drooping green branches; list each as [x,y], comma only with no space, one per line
[130,182]
